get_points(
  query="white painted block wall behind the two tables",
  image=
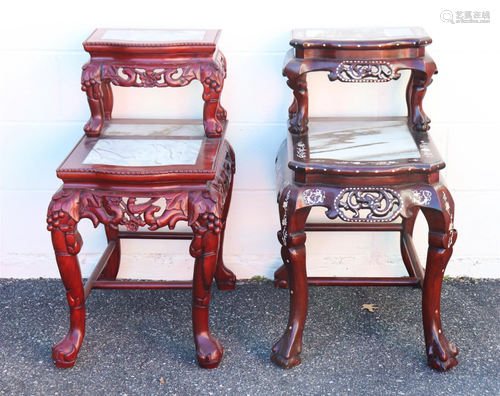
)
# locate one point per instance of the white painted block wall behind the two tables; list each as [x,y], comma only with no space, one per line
[43,112]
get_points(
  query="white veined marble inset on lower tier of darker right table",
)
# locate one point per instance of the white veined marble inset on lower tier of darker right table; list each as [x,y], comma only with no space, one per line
[361,140]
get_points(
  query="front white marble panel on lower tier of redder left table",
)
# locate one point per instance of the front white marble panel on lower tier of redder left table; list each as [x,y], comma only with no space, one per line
[135,152]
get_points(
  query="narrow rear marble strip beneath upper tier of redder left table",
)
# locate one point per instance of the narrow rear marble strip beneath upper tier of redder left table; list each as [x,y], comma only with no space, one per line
[131,129]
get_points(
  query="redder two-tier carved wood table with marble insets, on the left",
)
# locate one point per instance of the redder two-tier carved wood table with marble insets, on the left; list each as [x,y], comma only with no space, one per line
[137,173]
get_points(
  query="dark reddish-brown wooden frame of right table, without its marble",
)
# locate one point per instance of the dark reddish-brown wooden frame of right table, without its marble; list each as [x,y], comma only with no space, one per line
[406,186]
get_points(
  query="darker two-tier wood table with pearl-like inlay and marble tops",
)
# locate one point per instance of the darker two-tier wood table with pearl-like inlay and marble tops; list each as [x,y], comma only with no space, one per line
[374,174]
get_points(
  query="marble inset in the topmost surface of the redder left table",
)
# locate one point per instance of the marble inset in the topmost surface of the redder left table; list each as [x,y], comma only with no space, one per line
[147,36]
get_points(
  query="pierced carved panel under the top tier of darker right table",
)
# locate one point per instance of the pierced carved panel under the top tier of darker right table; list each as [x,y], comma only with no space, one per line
[366,71]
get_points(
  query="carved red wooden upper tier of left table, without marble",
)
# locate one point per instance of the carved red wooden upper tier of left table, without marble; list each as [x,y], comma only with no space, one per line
[161,64]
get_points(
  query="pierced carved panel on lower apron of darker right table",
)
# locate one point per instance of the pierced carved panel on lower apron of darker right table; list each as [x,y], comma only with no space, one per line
[368,204]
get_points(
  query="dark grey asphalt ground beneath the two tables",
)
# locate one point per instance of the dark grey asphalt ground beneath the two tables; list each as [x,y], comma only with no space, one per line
[140,342]
